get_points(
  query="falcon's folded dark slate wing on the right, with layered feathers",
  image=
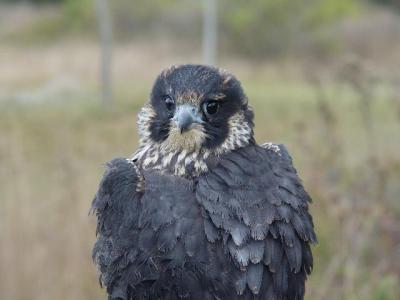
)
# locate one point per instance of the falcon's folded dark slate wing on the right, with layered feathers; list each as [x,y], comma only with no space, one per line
[255,200]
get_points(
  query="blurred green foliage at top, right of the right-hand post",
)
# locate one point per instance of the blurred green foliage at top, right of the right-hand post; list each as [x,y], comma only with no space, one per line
[279,26]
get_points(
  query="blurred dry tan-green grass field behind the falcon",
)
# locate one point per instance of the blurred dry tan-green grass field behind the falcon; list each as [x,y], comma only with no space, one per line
[341,133]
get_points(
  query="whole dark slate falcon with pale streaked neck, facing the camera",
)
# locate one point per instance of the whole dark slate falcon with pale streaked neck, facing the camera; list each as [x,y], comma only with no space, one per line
[201,211]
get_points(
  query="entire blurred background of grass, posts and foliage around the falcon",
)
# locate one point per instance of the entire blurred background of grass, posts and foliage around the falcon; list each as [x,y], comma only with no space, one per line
[323,78]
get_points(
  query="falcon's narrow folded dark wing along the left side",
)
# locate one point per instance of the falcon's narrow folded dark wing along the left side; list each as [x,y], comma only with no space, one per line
[116,205]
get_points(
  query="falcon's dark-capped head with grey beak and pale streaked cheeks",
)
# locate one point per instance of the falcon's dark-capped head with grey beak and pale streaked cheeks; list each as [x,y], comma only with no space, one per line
[196,109]
